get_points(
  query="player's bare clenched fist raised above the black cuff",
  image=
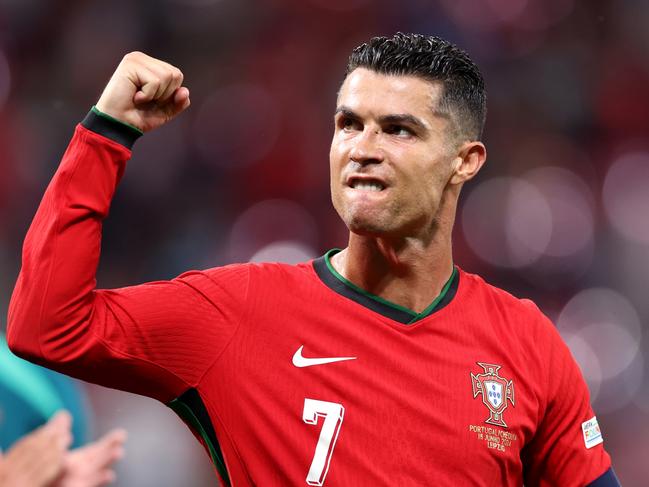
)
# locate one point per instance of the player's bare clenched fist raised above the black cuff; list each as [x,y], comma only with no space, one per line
[144,92]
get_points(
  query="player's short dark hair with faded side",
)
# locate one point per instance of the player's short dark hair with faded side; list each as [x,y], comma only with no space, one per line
[464,97]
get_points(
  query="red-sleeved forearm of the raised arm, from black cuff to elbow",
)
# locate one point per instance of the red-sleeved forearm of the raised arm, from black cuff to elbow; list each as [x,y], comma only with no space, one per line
[53,299]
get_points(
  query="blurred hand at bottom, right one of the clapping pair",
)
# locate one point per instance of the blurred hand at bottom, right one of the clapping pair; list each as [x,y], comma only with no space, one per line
[91,465]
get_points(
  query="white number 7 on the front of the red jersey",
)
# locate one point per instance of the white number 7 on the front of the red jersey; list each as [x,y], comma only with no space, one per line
[333,413]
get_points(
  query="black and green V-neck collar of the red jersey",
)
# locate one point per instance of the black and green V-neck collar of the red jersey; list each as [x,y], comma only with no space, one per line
[332,279]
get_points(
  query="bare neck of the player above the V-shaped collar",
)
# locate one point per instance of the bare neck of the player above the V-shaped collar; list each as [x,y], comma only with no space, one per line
[410,272]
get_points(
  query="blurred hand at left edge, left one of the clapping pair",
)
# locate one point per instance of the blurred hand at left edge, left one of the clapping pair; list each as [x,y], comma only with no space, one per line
[37,459]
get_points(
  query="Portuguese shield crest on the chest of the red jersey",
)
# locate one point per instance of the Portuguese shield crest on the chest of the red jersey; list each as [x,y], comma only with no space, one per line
[495,392]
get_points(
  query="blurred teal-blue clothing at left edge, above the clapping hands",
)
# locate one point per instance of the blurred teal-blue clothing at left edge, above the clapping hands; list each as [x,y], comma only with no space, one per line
[30,395]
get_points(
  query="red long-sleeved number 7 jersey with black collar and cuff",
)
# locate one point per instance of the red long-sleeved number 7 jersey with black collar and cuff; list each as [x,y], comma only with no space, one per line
[291,375]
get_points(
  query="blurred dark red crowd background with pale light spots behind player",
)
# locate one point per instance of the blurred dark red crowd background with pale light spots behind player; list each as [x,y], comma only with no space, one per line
[560,213]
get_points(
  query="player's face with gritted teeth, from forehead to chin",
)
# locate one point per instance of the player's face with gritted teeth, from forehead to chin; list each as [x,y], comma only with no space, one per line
[391,155]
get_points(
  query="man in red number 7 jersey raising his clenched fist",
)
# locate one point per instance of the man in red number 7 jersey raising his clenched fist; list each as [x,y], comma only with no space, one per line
[381,364]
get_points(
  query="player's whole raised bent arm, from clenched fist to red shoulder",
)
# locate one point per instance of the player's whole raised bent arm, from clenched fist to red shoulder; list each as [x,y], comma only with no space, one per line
[155,339]
